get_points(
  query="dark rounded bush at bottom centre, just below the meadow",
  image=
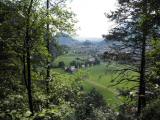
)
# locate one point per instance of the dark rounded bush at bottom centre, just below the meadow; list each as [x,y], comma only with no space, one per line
[93,107]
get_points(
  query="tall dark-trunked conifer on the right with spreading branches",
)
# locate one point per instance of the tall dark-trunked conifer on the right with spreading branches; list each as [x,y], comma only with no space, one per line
[135,23]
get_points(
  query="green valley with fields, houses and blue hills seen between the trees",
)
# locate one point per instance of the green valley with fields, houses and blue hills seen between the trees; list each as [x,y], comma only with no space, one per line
[99,76]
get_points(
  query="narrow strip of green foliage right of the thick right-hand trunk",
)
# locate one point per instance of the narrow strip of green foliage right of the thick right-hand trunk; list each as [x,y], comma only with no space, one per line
[153,74]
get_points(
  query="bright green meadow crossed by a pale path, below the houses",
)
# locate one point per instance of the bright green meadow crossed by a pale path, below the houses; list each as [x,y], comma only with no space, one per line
[99,78]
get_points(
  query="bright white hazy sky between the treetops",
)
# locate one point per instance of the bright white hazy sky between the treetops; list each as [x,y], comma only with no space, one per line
[90,14]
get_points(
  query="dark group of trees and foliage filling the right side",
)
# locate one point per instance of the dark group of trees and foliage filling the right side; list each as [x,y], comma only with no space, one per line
[138,30]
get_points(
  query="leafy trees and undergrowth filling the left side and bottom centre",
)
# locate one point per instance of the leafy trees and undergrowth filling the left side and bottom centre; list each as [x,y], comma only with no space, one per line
[29,88]
